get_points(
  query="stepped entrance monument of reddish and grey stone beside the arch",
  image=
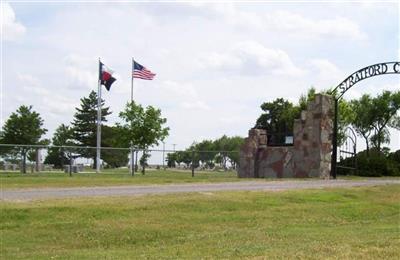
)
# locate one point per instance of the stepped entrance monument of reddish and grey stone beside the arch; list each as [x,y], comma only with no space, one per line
[310,155]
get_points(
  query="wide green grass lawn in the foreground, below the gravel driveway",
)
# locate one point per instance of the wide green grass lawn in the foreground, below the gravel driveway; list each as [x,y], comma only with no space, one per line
[356,223]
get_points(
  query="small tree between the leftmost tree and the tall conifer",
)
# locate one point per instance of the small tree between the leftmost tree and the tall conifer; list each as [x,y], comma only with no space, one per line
[63,136]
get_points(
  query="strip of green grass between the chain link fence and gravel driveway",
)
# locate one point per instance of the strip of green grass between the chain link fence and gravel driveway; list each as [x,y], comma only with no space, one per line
[108,178]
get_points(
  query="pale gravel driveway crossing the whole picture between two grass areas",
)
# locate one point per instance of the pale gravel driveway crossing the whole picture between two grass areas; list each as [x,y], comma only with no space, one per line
[49,193]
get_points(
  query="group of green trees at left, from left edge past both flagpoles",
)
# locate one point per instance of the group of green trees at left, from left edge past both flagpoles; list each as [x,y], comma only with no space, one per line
[139,127]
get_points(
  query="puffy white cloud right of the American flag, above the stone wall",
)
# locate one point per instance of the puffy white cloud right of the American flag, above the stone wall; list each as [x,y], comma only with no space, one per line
[251,58]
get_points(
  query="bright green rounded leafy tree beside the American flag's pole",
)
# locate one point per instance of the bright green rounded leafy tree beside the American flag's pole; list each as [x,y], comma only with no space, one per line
[141,127]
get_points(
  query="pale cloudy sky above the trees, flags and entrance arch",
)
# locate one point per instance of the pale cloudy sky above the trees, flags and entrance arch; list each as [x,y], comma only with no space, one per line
[216,63]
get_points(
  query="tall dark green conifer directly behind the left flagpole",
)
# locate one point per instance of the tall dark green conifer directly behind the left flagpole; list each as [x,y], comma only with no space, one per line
[85,127]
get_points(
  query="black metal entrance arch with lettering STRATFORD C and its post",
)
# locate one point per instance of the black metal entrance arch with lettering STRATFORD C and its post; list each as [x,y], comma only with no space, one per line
[383,68]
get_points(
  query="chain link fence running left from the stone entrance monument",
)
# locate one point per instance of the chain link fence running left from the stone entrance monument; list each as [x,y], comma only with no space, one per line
[80,159]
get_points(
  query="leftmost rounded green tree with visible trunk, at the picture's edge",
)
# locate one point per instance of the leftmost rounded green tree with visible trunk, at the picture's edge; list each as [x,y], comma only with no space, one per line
[24,126]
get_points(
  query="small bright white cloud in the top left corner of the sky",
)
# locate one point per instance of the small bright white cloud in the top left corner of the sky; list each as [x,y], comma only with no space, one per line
[12,30]
